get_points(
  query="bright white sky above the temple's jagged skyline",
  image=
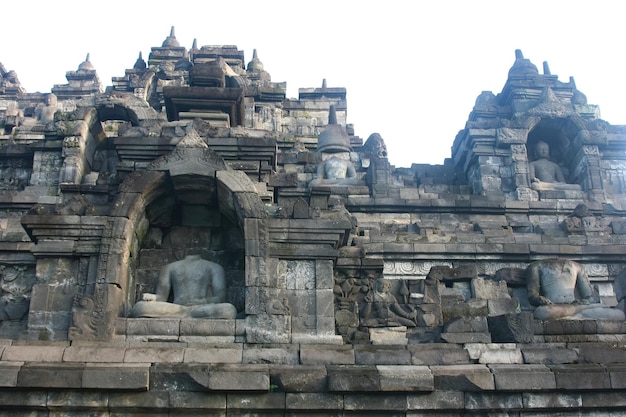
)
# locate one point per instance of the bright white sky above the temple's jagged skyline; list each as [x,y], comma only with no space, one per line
[412,69]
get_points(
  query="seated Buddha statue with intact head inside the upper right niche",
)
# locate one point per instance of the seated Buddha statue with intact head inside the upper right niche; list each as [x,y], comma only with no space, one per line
[545,174]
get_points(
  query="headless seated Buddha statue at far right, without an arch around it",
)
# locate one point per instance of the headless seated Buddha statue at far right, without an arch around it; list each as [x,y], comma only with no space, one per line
[560,289]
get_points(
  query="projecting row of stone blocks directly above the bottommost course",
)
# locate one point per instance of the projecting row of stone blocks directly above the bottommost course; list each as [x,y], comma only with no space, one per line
[330,378]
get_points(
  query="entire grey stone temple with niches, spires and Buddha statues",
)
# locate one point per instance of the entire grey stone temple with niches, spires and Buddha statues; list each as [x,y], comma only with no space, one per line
[189,241]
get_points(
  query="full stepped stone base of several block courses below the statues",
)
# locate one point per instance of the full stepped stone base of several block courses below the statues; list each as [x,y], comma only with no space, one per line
[176,379]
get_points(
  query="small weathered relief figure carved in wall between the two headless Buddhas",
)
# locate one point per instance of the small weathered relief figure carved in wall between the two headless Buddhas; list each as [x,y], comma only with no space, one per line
[382,308]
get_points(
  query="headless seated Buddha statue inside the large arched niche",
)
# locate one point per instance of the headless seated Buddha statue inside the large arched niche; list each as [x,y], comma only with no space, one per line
[199,291]
